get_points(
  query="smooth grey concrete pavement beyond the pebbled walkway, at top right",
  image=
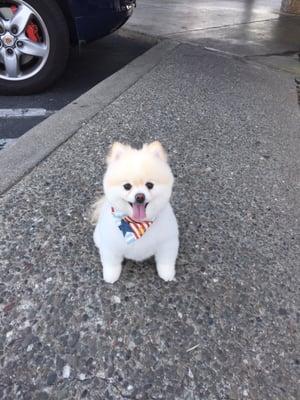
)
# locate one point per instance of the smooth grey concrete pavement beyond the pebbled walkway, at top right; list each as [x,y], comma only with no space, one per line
[239,27]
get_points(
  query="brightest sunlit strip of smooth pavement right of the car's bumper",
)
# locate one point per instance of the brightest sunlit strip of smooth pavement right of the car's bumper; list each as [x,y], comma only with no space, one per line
[172,17]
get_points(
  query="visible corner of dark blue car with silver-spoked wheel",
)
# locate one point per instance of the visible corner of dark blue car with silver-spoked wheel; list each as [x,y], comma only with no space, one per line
[36,35]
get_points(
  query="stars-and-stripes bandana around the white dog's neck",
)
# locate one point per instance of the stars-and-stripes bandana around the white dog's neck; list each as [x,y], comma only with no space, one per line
[132,230]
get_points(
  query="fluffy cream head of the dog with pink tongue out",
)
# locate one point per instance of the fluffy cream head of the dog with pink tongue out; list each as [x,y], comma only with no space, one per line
[138,182]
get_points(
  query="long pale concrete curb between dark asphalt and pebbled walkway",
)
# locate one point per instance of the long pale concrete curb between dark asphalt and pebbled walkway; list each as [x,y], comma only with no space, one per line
[40,141]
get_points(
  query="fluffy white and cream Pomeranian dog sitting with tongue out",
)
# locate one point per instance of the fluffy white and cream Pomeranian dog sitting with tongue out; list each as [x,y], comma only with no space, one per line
[134,219]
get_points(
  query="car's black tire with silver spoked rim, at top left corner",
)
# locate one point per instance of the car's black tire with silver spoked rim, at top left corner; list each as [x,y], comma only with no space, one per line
[55,33]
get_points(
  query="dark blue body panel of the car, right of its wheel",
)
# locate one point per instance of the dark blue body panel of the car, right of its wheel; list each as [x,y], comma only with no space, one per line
[97,18]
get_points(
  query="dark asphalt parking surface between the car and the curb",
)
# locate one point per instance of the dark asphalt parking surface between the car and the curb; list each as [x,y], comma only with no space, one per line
[92,64]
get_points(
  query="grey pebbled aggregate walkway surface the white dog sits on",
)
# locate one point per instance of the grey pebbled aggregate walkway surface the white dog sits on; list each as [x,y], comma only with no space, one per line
[227,328]
